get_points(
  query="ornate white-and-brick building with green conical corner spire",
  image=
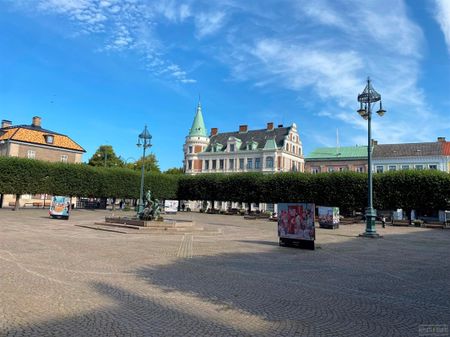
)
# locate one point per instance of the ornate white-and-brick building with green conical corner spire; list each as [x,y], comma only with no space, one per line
[269,150]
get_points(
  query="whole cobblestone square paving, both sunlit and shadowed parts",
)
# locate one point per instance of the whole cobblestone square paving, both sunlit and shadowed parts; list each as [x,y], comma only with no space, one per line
[232,279]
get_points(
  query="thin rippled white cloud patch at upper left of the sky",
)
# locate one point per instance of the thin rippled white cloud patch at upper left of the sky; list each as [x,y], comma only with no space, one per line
[125,25]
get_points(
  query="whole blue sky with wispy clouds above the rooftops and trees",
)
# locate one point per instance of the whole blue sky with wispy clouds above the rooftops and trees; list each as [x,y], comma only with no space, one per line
[99,70]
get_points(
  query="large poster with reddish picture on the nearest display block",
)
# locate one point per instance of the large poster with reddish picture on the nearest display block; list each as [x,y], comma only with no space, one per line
[296,221]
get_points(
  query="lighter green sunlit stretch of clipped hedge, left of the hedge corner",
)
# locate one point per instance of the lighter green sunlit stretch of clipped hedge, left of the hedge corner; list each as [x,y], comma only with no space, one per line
[25,176]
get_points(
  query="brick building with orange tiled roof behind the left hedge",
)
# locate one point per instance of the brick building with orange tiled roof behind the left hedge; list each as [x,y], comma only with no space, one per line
[34,142]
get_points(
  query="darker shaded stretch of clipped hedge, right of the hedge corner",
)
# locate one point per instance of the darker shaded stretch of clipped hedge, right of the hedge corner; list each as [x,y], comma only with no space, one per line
[420,190]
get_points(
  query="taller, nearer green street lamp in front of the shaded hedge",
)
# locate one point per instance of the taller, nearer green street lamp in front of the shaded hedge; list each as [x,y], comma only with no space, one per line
[366,99]
